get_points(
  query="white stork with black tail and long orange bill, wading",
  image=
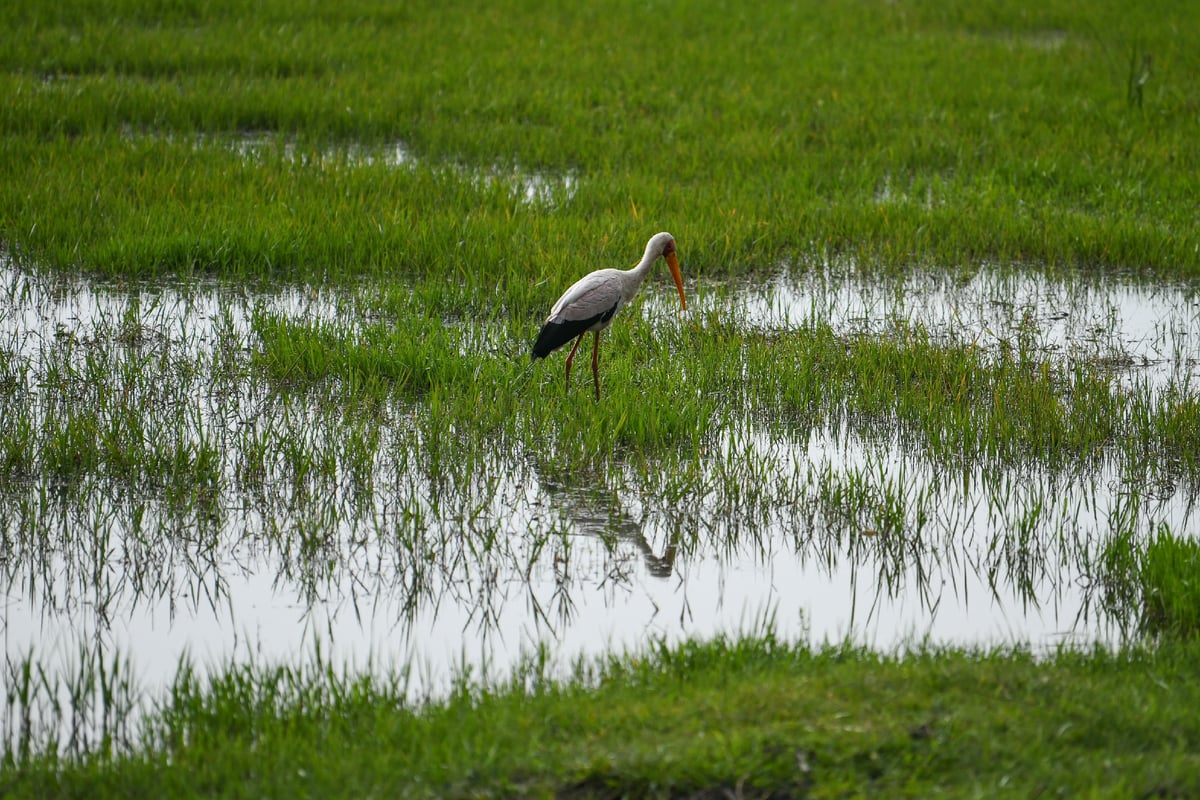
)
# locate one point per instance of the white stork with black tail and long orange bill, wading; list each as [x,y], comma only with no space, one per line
[591,304]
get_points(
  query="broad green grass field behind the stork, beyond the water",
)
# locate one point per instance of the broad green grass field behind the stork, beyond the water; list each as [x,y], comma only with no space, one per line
[889,134]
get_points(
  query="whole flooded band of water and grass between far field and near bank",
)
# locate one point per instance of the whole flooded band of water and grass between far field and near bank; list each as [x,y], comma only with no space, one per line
[203,474]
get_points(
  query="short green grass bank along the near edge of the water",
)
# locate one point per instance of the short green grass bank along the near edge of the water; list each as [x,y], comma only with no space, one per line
[755,717]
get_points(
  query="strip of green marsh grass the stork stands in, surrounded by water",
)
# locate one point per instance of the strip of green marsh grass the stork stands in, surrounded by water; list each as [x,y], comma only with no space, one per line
[1018,406]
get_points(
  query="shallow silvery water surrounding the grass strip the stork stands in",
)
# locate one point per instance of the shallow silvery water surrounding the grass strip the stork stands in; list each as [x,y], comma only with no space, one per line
[395,569]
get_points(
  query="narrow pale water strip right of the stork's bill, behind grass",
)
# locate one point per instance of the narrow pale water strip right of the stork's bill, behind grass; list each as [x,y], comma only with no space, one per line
[1142,332]
